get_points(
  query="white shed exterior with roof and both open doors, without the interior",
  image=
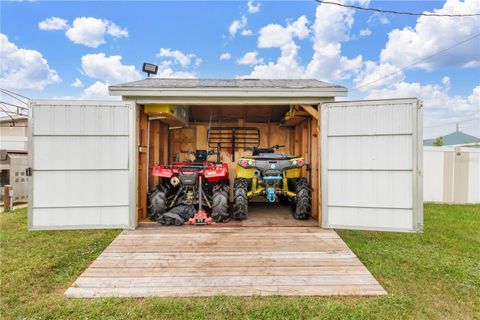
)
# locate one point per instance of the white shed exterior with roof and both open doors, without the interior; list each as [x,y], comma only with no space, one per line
[84,154]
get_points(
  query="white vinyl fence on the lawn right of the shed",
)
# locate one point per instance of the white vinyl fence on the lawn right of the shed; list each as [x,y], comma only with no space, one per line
[451,174]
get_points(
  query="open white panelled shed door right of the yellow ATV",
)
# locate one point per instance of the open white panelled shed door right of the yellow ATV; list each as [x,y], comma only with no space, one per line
[371,165]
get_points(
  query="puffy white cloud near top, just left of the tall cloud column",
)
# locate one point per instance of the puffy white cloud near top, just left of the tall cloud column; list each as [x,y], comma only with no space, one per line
[276,36]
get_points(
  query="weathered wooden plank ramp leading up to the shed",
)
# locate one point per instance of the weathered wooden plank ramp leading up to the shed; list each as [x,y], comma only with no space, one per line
[204,261]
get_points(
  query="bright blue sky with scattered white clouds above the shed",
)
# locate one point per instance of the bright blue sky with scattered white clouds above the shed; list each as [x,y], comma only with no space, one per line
[82,47]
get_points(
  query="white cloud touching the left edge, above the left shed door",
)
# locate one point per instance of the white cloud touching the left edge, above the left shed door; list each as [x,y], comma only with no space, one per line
[24,68]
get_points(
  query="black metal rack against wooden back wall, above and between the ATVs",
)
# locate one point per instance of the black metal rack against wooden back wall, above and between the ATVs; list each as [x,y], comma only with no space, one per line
[234,138]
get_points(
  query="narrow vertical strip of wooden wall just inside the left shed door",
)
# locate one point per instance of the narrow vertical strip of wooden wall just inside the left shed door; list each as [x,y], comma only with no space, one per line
[142,145]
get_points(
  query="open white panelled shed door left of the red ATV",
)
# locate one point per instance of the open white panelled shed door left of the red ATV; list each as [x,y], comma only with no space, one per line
[81,157]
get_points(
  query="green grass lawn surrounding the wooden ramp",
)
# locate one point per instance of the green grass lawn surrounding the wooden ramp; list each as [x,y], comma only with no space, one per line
[435,274]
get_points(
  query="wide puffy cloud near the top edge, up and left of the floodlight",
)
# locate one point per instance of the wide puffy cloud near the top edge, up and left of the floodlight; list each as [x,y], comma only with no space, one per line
[91,31]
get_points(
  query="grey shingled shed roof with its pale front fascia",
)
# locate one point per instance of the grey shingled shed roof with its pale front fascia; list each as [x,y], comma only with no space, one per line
[247,89]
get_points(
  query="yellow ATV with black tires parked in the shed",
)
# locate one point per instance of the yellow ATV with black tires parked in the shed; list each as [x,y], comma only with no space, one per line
[277,176]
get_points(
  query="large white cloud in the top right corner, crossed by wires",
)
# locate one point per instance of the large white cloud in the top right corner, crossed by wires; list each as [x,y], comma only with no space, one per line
[431,35]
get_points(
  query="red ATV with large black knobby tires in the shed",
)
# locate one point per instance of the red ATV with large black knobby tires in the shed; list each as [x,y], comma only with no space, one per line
[181,183]
